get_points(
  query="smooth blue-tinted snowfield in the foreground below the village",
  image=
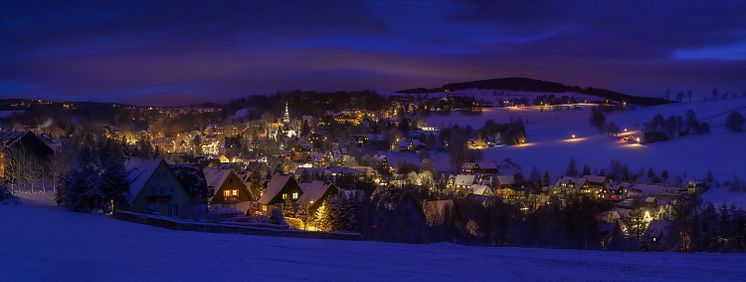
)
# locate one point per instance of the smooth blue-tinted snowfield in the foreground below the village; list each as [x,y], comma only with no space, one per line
[40,242]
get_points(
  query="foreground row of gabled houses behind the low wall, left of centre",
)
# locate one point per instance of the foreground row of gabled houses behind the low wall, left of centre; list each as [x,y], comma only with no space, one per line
[188,191]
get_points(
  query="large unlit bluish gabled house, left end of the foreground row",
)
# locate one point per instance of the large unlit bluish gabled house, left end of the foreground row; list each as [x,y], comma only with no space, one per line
[155,189]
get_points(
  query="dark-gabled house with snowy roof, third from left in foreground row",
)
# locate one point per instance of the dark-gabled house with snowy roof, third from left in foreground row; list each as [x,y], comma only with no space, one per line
[281,190]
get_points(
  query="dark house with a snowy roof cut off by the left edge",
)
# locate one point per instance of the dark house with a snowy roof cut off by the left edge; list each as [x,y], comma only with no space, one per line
[23,148]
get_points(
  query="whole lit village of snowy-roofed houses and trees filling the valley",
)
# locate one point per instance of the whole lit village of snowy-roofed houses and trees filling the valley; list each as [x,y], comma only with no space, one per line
[322,173]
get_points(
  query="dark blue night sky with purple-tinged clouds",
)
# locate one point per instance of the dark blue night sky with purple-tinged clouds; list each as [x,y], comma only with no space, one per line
[192,51]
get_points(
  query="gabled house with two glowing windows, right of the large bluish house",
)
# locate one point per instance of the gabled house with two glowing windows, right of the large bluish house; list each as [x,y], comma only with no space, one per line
[226,188]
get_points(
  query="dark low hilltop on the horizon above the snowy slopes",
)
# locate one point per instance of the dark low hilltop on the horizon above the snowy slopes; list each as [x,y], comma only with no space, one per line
[535,85]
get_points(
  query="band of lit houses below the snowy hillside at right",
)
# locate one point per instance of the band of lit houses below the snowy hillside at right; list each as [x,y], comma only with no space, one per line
[628,199]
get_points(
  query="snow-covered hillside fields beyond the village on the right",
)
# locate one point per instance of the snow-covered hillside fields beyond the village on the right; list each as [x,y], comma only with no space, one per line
[550,147]
